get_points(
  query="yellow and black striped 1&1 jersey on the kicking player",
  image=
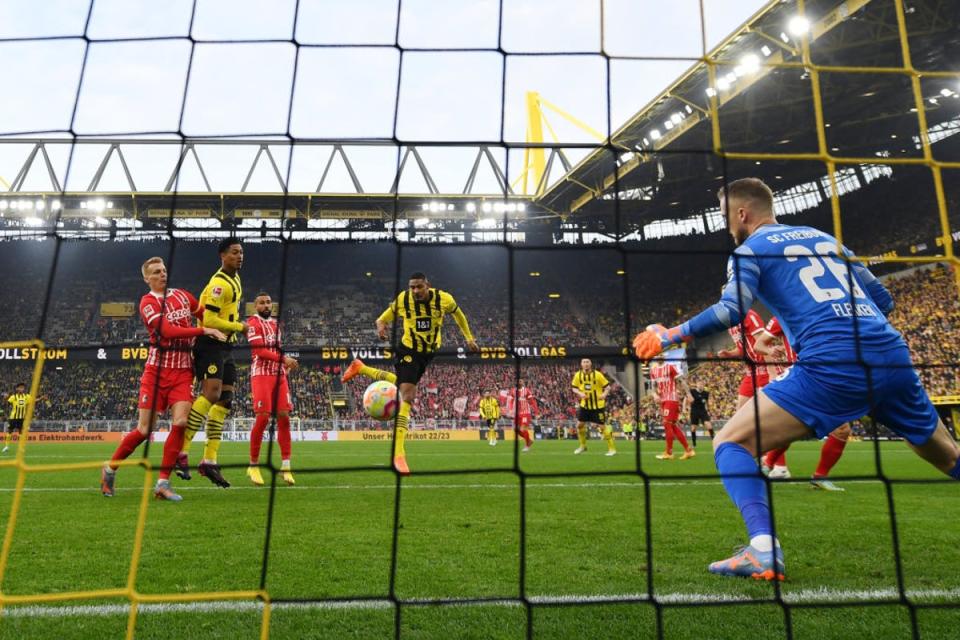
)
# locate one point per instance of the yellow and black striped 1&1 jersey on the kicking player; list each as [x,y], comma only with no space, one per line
[422,321]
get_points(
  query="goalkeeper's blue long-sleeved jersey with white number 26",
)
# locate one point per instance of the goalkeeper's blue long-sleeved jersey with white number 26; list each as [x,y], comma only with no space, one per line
[825,303]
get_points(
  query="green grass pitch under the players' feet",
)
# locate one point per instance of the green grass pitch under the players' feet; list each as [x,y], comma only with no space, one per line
[459,538]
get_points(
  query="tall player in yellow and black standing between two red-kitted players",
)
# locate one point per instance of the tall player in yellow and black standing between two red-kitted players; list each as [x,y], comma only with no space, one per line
[213,361]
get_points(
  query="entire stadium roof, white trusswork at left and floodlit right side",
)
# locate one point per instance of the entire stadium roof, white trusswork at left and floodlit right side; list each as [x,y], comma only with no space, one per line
[661,164]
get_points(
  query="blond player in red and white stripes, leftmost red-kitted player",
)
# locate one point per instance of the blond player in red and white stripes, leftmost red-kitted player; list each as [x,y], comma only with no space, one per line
[167,380]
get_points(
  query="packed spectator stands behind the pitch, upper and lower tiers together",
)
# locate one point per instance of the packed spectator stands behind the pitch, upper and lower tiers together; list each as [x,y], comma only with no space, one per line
[333,294]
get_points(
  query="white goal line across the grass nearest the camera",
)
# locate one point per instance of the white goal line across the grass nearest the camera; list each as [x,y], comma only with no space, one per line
[806,596]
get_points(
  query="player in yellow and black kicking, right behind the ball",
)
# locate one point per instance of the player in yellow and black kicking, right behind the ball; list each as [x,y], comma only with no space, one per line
[420,311]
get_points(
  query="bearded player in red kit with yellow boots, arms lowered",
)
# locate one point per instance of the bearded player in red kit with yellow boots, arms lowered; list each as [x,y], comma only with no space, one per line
[268,381]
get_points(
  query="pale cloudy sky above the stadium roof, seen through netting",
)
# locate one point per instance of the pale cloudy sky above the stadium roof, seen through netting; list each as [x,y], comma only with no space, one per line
[133,87]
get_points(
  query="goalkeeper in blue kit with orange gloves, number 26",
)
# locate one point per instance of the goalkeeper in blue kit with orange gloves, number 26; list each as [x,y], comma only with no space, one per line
[852,361]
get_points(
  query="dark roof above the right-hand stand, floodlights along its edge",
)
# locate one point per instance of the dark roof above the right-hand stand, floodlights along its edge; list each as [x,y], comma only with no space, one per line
[663,161]
